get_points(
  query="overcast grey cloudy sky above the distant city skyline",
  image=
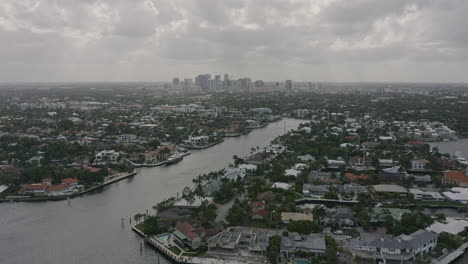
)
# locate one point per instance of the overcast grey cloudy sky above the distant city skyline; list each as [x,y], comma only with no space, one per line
[156,40]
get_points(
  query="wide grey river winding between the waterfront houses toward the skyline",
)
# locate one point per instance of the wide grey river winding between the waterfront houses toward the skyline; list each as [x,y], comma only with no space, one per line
[89,230]
